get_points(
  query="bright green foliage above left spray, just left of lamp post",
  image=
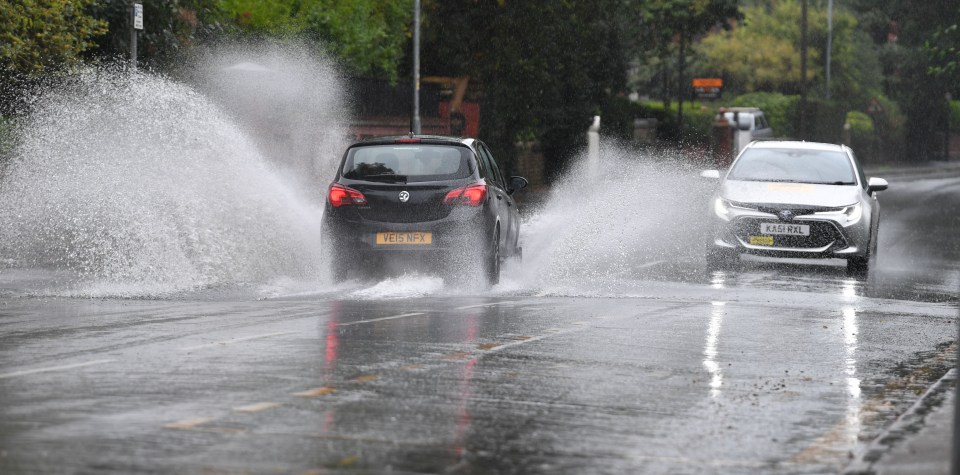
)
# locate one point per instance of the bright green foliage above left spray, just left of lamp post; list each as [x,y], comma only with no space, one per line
[368,36]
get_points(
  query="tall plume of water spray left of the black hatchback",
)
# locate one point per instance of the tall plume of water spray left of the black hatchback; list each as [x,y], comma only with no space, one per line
[143,186]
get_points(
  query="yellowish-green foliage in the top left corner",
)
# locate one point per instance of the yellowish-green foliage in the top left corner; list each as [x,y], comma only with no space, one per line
[37,35]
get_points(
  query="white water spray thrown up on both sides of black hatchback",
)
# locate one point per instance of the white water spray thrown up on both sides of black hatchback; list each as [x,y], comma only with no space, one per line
[140,185]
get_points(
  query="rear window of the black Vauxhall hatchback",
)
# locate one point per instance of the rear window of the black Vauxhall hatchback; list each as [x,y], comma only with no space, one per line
[407,163]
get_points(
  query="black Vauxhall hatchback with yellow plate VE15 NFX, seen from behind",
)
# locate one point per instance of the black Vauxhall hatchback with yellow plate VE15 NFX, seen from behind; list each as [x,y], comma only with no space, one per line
[418,200]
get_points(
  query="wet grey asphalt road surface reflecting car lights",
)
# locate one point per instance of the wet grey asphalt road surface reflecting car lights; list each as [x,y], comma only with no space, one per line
[778,367]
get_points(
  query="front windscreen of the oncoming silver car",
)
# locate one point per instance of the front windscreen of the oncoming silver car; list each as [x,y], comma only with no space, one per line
[795,166]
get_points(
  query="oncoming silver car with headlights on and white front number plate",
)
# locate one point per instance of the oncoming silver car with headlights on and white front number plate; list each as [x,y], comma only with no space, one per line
[795,199]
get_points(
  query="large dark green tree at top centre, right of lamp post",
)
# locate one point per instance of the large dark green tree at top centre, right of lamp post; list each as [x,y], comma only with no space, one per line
[545,67]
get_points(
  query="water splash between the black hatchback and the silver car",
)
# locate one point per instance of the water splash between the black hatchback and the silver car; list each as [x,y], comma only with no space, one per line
[643,210]
